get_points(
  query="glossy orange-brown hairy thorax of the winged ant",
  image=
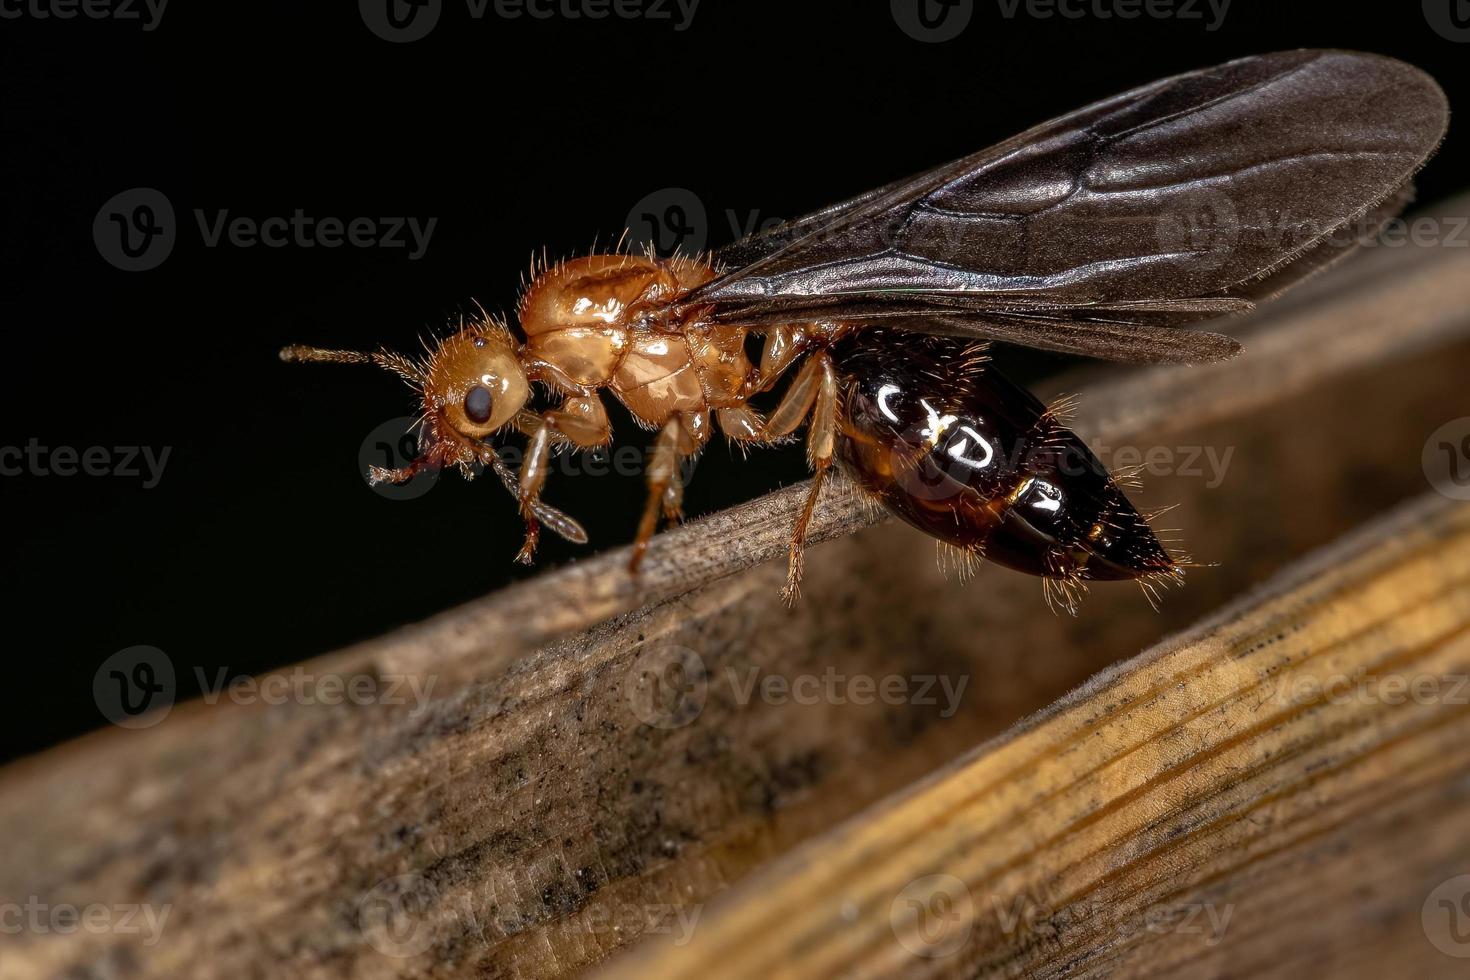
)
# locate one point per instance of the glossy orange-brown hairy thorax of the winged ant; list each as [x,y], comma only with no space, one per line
[608,323]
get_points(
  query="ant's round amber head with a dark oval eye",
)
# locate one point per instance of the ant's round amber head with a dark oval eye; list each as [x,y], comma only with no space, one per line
[474,380]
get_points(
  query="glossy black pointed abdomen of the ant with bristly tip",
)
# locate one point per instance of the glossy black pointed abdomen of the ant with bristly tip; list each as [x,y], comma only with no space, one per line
[962,453]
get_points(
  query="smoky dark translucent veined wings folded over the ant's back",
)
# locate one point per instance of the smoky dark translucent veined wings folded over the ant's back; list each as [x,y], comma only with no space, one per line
[1102,231]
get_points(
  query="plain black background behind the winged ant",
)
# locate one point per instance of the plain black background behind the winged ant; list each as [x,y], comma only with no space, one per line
[262,546]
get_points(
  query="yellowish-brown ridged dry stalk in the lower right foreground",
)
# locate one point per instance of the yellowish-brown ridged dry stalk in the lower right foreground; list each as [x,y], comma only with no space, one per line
[1281,790]
